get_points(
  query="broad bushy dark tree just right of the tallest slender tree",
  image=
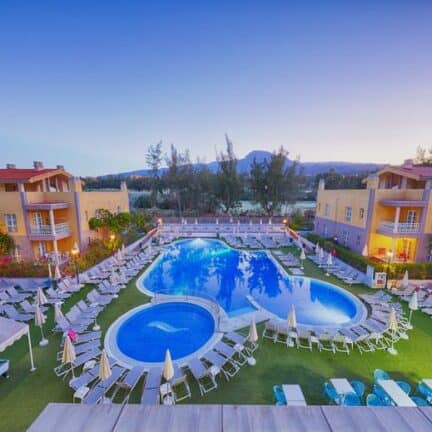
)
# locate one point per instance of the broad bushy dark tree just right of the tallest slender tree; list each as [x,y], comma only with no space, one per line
[274,182]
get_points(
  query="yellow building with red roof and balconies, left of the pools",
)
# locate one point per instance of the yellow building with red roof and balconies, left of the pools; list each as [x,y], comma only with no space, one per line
[46,211]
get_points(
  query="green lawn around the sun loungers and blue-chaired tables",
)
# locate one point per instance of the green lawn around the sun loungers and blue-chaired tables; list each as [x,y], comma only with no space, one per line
[25,394]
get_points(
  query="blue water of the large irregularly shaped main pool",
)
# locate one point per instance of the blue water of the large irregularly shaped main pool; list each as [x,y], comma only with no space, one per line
[212,269]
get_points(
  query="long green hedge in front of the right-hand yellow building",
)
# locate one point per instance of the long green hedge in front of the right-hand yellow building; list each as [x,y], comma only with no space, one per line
[396,270]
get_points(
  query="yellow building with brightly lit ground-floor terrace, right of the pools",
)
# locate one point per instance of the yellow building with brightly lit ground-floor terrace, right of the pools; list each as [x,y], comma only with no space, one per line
[390,220]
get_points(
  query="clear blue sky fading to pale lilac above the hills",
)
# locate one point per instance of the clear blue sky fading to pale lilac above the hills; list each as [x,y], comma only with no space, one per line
[91,84]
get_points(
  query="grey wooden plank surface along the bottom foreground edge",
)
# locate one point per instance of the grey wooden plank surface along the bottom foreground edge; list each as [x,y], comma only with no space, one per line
[230,418]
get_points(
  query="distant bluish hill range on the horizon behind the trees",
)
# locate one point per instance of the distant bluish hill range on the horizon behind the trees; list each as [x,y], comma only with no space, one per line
[309,168]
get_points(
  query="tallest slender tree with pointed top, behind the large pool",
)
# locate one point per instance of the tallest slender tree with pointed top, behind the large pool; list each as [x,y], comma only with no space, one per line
[228,186]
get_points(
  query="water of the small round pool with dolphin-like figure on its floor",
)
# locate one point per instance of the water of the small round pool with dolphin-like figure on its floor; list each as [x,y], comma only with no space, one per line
[178,326]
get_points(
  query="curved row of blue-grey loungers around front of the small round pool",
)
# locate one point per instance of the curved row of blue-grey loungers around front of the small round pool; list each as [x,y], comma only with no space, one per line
[224,359]
